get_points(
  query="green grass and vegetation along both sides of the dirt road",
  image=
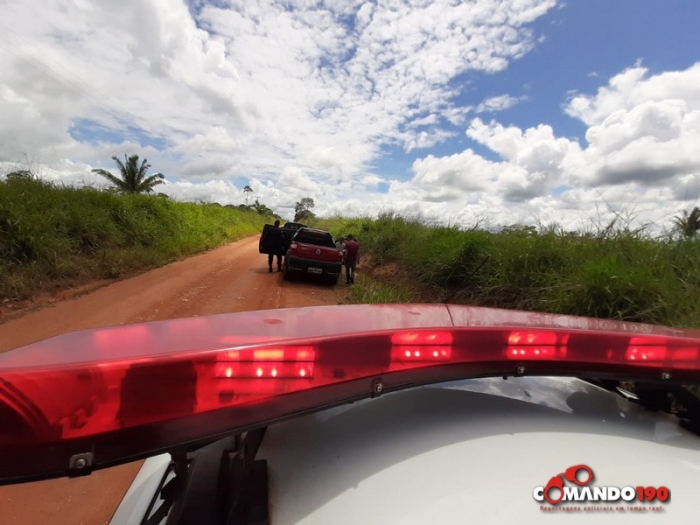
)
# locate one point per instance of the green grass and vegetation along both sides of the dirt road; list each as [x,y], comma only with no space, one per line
[53,237]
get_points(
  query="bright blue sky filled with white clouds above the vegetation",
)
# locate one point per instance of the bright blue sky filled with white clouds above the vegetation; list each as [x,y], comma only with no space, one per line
[508,111]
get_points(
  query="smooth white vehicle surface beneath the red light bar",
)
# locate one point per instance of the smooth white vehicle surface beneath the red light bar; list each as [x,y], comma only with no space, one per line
[475,451]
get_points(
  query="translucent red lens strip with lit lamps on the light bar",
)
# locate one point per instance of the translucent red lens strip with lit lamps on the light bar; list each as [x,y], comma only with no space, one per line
[102,392]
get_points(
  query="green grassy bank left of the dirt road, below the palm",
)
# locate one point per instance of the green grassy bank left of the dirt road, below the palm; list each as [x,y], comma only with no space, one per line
[54,237]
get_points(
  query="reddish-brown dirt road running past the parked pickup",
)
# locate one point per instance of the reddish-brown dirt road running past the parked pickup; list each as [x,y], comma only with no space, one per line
[229,279]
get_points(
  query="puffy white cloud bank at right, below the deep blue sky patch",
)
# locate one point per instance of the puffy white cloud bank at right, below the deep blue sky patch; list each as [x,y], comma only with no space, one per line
[640,158]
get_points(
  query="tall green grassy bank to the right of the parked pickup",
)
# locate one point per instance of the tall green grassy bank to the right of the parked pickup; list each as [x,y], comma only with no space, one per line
[612,274]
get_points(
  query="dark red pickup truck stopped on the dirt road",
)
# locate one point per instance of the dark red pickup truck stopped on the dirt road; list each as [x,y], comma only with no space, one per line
[313,252]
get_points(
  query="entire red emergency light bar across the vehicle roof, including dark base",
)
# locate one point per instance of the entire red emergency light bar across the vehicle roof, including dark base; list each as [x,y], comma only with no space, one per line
[113,395]
